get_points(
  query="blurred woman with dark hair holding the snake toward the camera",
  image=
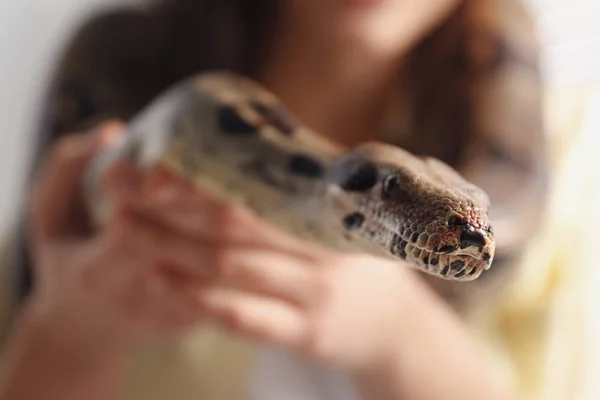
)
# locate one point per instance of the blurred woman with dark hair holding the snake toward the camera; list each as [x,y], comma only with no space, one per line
[453,79]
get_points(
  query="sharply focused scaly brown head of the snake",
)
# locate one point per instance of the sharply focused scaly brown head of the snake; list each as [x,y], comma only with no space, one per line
[421,209]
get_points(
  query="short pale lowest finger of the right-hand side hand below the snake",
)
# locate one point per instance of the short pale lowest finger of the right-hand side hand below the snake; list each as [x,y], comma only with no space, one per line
[255,317]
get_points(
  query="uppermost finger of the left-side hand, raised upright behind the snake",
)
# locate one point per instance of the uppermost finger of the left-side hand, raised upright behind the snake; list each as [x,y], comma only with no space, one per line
[58,190]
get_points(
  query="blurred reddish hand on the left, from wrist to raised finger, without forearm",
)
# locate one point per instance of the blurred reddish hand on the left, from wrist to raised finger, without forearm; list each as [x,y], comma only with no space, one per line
[102,283]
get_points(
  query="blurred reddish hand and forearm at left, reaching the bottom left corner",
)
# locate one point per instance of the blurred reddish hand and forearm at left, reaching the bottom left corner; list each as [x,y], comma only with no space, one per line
[97,295]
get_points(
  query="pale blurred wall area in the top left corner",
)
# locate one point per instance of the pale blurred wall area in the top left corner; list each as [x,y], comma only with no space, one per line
[30,35]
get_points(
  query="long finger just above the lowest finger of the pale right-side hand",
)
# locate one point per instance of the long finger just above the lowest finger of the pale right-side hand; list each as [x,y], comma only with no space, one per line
[271,272]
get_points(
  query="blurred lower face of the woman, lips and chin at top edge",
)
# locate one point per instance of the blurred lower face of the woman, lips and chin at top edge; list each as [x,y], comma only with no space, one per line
[379,26]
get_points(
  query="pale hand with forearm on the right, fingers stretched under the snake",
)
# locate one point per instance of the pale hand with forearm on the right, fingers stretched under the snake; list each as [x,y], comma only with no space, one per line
[372,318]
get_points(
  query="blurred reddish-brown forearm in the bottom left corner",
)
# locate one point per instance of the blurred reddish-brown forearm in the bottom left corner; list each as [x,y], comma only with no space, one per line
[40,362]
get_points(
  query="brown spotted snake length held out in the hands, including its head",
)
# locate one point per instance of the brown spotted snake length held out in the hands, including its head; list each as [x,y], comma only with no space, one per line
[230,135]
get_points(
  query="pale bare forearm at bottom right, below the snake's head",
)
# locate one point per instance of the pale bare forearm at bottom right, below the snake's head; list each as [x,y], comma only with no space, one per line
[437,359]
